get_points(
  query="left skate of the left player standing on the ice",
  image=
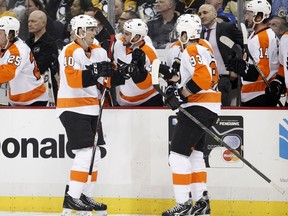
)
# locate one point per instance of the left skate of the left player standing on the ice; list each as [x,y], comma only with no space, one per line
[71,204]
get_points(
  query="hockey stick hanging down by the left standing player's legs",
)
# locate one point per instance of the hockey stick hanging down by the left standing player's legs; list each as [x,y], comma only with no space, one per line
[96,135]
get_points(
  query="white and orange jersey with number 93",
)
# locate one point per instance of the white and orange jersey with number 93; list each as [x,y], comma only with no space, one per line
[195,65]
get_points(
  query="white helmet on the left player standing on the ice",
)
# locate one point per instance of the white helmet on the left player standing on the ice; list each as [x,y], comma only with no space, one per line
[82,21]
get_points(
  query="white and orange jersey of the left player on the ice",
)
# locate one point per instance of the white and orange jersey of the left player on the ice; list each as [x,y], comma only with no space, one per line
[72,96]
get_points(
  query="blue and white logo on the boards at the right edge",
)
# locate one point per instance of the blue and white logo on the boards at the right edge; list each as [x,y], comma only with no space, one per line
[283,139]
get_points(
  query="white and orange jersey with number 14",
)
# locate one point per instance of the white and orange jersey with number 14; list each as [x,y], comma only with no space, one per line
[263,47]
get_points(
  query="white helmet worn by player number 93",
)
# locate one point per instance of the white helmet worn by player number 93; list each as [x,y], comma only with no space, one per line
[191,24]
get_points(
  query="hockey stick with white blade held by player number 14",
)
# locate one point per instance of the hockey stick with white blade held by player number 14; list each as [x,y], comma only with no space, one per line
[245,42]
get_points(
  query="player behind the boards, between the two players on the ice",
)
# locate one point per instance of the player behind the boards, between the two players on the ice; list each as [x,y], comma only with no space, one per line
[134,57]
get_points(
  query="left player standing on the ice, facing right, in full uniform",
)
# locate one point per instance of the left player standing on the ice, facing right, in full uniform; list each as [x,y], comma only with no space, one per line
[82,65]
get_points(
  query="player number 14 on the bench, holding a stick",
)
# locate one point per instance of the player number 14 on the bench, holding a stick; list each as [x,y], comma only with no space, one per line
[263,46]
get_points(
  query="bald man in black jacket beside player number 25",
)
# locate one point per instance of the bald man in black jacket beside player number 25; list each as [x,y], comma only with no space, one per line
[43,47]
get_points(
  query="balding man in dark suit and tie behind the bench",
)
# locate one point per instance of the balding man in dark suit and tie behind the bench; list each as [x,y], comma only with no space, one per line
[228,83]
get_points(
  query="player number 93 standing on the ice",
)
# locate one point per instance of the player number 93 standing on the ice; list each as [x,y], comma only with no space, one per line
[186,153]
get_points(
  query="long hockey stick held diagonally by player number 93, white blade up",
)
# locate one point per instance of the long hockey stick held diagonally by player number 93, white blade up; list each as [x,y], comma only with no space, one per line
[155,82]
